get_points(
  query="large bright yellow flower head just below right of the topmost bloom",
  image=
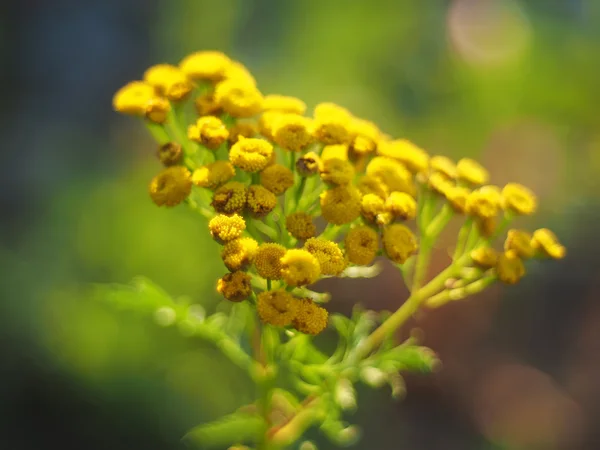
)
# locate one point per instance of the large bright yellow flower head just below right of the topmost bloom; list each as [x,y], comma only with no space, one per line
[238,98]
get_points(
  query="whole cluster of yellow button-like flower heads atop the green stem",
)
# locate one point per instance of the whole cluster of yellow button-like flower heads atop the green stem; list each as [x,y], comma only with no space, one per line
[267,176]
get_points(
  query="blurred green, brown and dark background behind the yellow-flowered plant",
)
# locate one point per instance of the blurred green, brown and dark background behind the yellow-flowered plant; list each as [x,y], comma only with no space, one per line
[511,82]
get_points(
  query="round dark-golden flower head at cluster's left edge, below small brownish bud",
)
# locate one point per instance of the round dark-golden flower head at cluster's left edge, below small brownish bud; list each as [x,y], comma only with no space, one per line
[171,186]
